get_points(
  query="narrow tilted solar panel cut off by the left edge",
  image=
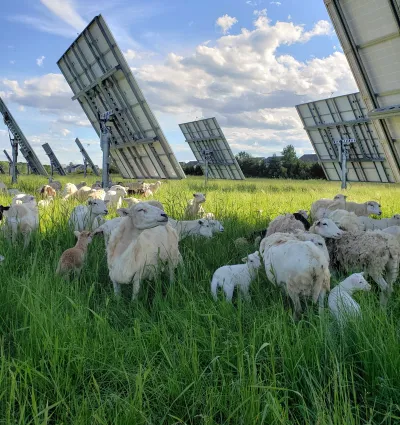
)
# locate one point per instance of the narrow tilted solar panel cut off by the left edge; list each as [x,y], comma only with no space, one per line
[25,147]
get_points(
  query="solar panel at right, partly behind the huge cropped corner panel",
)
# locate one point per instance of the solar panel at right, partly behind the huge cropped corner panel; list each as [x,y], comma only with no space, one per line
[345,117]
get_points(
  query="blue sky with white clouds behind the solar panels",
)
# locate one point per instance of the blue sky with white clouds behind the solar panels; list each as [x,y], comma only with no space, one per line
[245,62]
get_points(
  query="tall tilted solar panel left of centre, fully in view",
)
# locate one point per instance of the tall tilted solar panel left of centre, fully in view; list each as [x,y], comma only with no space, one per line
[102,81]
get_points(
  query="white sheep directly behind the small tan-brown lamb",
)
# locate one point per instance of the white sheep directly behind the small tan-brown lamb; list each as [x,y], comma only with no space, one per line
[88,217]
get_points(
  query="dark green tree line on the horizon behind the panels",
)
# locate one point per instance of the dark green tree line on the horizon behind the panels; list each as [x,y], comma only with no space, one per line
[287,166]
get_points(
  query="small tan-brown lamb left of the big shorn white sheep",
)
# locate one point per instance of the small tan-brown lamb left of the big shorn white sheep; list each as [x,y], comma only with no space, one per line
[72,259]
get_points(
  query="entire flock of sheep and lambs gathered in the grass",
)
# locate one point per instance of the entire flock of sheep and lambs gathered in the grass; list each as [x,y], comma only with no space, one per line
[143,241]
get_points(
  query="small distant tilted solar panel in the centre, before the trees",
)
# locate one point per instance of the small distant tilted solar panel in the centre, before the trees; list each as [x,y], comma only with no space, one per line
[211,149]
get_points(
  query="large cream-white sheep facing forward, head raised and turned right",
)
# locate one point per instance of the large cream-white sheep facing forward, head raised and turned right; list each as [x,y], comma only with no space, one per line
[138,244]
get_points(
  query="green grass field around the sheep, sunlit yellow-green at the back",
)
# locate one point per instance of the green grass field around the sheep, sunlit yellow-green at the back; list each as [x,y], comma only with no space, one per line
[72,354]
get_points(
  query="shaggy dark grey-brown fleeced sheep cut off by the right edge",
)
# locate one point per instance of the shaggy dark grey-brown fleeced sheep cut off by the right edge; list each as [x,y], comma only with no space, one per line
[374,252]
